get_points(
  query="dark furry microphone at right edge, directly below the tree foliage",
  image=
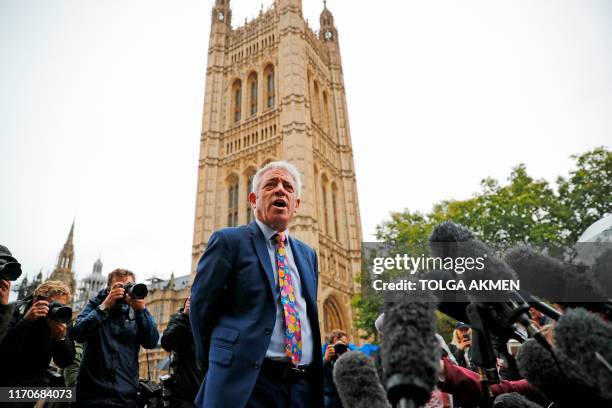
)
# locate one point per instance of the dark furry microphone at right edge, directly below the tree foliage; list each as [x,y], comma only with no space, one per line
[549,278]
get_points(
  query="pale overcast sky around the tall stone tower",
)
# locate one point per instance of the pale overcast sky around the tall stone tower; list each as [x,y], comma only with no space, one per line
[101,104]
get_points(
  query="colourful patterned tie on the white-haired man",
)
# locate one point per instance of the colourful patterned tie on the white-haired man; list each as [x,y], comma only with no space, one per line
[293,329]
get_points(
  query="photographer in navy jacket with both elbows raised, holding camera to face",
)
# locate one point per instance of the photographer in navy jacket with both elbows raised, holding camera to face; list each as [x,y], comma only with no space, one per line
[113,325]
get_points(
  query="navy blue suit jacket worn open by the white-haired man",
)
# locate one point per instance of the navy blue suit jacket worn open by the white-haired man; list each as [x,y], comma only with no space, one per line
[233,313]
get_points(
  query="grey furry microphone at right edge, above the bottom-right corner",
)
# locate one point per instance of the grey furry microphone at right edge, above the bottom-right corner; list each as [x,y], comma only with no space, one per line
[580,334]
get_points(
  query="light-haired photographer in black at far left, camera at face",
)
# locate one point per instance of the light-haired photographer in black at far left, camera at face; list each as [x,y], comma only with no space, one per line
[37,333]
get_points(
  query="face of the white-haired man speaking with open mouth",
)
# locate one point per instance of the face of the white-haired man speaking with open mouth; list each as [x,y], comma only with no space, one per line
[276,200]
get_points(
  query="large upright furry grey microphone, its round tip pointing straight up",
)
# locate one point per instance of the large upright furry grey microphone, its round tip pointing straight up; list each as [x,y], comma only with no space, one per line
[410,350]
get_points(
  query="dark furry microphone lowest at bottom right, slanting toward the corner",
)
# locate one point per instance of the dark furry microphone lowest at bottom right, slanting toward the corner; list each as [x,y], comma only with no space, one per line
[568,388]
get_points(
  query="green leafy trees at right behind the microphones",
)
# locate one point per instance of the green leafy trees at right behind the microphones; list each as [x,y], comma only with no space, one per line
[524,210]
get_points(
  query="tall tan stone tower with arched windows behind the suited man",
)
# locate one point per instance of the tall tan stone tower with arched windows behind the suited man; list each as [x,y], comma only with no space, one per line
[275,91]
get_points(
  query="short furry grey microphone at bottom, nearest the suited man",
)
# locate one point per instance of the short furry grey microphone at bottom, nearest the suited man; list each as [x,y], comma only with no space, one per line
[357,382]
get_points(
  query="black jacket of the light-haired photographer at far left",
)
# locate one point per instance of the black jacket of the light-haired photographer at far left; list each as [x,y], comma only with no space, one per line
[28,349]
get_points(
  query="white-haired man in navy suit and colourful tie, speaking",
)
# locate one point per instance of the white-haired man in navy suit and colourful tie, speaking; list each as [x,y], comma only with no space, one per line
[253,306]
